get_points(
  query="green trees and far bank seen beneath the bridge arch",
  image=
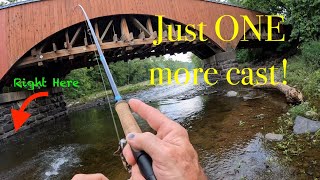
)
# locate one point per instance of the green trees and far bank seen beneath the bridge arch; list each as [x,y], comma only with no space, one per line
[131,77]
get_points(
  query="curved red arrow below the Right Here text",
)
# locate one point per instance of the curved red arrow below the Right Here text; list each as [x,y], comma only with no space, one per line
[19,117]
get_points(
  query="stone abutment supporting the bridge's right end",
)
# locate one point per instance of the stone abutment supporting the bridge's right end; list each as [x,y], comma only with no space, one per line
[222,61]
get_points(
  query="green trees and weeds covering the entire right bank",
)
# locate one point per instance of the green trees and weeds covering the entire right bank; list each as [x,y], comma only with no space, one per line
[303,73]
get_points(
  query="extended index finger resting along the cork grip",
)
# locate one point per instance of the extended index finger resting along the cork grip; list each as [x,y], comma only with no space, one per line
[153,116]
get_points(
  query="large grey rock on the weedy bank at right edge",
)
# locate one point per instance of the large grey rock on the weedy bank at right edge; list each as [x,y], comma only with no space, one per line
[303,125]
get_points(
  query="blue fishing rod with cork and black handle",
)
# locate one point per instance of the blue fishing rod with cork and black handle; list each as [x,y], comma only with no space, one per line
[128,122]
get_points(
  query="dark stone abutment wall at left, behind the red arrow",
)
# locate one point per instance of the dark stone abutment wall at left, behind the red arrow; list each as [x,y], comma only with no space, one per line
[42,110]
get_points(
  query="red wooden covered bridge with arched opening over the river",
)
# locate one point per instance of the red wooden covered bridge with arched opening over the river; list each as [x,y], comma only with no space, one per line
[50,37]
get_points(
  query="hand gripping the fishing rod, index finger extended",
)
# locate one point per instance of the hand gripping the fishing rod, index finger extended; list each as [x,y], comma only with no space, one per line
[170,149]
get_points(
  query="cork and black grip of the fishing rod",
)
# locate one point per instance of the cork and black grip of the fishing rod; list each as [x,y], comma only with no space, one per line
[129,125]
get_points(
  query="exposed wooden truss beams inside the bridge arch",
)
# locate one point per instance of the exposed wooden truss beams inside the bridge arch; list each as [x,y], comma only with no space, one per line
[121,37]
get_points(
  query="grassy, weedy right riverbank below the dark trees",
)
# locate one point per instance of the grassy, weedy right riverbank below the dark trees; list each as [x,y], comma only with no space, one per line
[300,150]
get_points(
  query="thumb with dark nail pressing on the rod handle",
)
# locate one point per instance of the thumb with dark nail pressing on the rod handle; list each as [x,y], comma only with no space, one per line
[147,142]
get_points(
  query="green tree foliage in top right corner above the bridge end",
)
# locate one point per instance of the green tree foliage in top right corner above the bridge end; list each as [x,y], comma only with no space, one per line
[303,15]
